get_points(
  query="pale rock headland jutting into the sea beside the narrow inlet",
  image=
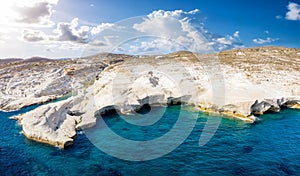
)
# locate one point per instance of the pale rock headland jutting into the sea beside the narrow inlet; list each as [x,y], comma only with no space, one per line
[50,124]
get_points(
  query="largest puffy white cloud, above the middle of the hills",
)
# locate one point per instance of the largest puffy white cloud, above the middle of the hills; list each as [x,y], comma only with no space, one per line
[175,29]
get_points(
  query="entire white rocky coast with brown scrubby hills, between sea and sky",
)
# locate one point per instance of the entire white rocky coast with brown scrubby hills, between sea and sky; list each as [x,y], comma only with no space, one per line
[238,83]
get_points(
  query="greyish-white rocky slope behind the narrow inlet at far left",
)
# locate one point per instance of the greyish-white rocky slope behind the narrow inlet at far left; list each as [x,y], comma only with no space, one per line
[36,81]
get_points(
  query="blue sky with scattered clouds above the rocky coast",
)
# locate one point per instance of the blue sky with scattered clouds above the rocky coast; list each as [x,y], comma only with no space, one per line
[75,28]
